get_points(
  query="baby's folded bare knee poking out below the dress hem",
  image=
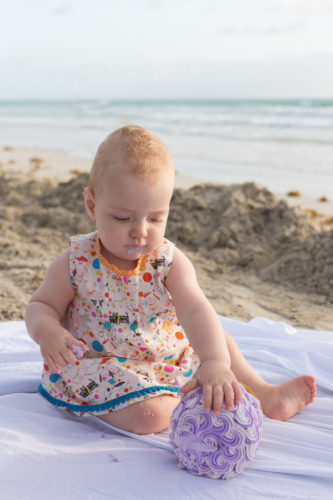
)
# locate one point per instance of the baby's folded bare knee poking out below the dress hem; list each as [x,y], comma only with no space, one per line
[144,417]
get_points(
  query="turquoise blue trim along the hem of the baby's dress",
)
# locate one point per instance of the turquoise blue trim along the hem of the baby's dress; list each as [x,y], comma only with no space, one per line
[102,406]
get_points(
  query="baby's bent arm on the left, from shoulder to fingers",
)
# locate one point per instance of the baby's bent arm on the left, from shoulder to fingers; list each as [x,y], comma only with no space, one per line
[46,309]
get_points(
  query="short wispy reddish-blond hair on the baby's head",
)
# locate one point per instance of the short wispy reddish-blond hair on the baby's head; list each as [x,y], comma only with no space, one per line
[137,149]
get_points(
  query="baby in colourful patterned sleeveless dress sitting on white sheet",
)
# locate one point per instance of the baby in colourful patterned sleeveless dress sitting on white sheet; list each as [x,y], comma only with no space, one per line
[127,302]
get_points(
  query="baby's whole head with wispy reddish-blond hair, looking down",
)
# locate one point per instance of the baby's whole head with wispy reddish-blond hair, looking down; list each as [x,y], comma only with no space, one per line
[129,192]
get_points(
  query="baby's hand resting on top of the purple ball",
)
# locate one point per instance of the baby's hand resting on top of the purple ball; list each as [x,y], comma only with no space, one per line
[218,384]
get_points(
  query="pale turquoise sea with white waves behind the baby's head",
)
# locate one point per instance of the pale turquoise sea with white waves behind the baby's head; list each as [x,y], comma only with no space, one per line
[281,144]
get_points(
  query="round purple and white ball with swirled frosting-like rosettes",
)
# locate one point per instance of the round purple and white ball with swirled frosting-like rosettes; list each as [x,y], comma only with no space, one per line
[216,446]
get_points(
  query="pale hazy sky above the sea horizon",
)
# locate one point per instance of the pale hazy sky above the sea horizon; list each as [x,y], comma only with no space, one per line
[166,49]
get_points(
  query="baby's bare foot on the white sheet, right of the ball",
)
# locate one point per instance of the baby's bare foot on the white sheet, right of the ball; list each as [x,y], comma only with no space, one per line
[283,401]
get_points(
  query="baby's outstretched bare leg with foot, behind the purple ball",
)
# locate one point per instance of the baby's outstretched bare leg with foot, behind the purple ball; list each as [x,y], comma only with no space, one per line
[280,402]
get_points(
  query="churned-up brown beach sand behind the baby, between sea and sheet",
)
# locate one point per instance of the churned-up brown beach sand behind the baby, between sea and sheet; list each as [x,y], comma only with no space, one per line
[255,253]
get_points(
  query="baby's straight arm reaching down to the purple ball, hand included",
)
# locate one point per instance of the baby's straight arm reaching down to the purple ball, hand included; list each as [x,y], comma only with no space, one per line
[206,335]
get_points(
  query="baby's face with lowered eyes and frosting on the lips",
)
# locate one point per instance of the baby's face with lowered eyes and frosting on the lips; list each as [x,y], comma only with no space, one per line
[130,215]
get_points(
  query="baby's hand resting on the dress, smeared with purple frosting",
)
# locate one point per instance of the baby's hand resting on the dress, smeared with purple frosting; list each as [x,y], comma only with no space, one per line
[59,348]
